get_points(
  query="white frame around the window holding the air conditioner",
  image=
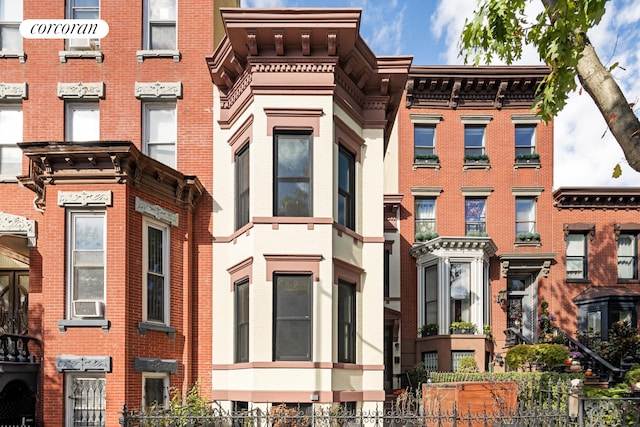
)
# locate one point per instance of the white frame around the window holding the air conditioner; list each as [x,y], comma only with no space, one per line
[71,213]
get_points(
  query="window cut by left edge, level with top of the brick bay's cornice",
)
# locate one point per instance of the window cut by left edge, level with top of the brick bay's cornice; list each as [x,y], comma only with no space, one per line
[10,133]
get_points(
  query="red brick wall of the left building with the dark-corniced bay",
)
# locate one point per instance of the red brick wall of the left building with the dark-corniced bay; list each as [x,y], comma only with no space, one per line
[120,119]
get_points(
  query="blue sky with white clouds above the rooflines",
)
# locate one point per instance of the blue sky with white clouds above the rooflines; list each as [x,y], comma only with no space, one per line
[585,152]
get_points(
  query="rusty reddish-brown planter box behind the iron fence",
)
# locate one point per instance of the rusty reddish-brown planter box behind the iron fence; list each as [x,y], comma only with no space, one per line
[477,398]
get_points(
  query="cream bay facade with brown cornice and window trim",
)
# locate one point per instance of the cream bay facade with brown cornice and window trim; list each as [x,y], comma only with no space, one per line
[296,111]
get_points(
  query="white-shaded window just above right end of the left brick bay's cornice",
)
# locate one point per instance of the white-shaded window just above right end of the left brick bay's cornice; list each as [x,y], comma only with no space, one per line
[160,132]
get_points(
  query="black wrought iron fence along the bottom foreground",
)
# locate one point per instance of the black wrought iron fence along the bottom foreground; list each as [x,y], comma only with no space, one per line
[551,410]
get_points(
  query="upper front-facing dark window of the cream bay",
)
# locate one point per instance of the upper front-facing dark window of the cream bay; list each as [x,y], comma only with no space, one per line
[292,170]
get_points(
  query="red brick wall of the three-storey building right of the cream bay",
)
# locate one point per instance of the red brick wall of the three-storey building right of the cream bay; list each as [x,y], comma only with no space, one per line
[450,215]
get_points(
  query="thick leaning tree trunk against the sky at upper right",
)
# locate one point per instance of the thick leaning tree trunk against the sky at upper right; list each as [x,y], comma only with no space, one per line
[614,107]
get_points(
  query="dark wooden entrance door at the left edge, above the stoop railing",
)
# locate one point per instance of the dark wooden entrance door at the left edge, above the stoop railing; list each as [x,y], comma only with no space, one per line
[14,302]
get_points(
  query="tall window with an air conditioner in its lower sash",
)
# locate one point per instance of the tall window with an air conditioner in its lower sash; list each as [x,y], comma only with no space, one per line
[86,275]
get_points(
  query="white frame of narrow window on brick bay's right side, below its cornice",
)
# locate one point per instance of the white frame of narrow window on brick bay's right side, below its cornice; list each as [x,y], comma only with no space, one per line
[146,223]
